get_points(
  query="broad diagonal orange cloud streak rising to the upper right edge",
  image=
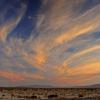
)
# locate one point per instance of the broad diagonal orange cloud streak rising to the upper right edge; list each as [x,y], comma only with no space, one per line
[82,25]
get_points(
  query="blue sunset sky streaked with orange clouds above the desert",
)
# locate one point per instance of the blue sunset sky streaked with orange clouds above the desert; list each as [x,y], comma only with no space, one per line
[49,42]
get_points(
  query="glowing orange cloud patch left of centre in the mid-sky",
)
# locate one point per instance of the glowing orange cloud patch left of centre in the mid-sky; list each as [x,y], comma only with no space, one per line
[38,57]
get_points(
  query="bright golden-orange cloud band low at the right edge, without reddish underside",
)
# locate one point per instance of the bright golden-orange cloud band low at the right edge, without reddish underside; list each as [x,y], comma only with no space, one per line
[88,68]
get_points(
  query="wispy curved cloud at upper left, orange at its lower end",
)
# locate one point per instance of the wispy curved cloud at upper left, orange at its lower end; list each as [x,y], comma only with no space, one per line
[10,24]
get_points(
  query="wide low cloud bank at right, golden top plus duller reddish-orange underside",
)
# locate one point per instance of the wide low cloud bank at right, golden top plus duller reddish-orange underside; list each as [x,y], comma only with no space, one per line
[78,75]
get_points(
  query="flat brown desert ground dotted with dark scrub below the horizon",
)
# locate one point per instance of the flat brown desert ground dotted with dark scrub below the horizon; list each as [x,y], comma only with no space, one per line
[49,94]
